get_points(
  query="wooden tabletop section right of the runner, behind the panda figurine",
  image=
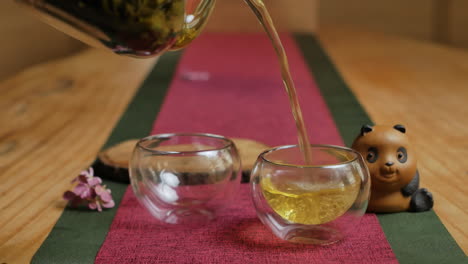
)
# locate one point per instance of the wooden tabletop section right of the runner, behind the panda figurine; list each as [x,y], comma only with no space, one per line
[425,87]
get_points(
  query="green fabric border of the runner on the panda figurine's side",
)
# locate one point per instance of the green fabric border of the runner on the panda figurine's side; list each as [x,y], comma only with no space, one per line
[414,237]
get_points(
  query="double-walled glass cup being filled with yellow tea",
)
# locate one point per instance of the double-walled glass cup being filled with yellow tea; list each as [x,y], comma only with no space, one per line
[315,203]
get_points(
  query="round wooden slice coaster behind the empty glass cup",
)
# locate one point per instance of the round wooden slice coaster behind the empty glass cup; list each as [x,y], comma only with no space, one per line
[112,163]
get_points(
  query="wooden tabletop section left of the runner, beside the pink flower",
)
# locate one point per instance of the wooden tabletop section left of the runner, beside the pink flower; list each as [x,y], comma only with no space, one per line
[54,118]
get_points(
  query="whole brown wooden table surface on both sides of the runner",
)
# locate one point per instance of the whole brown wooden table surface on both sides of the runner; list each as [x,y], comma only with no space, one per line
[54,118]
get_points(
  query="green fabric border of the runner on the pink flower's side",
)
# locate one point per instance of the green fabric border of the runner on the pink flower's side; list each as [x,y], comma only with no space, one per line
[79,233]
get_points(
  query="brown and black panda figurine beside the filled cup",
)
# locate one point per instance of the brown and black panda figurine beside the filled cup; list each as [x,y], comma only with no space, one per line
[392,165]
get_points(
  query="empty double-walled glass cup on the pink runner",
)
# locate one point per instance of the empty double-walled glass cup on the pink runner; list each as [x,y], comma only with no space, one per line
[185,178]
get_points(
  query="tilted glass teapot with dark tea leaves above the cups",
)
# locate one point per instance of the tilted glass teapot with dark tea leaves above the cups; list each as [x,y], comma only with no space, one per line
[139,28]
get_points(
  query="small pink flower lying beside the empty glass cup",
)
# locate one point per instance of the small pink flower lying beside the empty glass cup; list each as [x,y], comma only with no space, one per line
[89,191]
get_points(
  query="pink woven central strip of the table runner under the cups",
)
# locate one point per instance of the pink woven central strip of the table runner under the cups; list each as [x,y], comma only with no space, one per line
[243,97]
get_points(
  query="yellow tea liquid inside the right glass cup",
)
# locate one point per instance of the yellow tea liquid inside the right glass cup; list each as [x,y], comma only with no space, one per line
[310,206]
